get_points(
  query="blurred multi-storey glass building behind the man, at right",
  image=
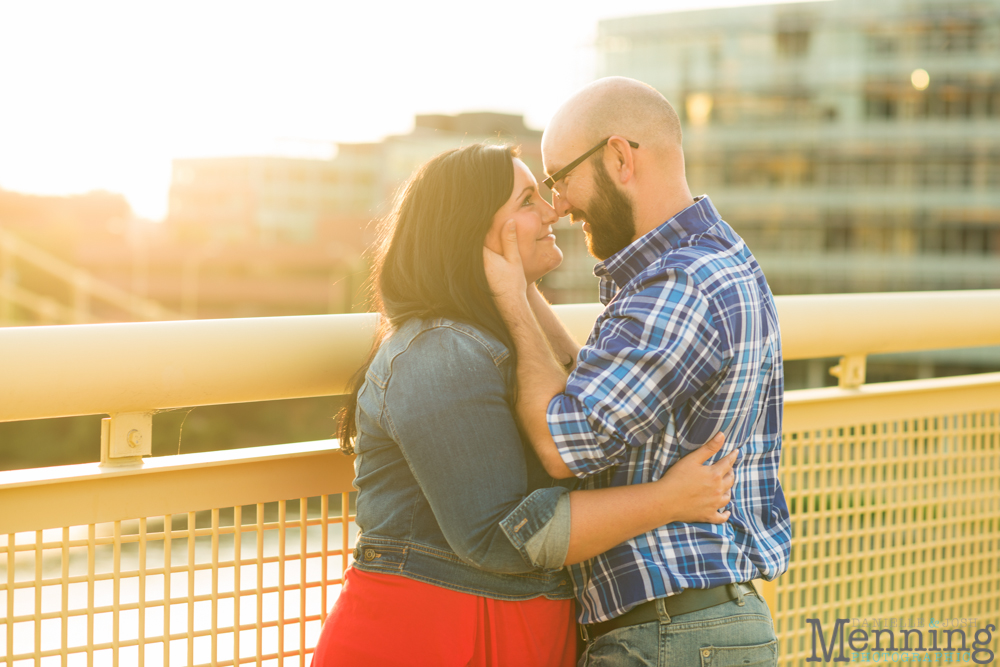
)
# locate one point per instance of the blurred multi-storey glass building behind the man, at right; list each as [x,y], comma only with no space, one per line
[854,144]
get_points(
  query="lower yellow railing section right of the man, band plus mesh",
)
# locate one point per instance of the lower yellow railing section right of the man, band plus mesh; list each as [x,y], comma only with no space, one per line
[894,494]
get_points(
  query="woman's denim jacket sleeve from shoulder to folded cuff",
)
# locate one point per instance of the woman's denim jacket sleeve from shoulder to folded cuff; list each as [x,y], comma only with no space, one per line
[446,408]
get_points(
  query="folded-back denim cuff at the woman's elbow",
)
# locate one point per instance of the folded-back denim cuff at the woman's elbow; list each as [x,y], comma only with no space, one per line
[539,528]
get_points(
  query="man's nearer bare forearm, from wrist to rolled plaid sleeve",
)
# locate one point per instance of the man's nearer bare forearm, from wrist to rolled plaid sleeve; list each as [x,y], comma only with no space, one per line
[539,379]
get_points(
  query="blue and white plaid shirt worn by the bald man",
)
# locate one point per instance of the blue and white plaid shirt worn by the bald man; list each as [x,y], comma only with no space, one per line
[687,346]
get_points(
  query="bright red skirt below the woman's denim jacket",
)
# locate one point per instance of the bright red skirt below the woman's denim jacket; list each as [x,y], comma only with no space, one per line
[387,620]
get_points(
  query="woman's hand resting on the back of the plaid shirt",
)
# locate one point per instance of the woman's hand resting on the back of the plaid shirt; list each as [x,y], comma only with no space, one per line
[700,491]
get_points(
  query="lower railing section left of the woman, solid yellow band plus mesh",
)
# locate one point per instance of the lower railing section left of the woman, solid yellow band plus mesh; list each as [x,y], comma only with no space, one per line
[225,558]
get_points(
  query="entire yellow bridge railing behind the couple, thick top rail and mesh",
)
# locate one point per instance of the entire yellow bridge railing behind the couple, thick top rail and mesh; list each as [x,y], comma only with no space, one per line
[233,558]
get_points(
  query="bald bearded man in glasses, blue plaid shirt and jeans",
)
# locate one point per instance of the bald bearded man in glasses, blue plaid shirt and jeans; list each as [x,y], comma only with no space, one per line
[688,346]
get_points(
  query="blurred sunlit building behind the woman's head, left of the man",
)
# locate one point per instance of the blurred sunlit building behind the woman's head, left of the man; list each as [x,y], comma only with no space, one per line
[268,200]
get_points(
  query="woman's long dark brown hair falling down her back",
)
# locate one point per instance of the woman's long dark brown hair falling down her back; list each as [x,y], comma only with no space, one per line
[428,262]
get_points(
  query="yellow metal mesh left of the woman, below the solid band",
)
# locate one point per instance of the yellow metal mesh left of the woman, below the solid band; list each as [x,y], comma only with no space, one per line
[226,586]
